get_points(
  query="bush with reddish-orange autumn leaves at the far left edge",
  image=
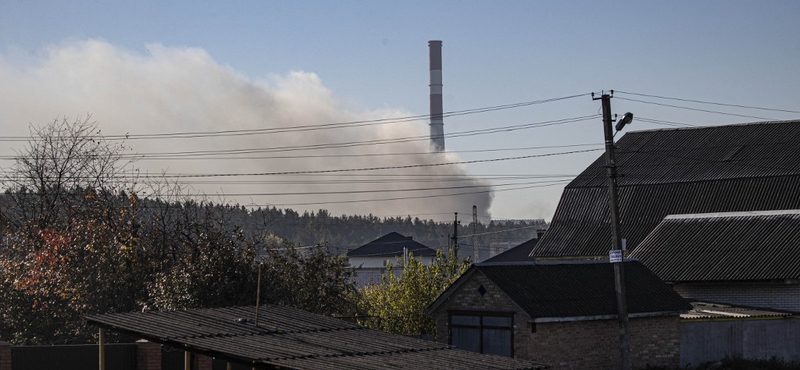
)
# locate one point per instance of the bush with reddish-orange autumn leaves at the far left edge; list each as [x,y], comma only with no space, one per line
[50,279]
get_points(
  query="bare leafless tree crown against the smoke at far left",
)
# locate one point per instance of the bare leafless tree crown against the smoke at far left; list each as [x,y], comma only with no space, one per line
[63,162]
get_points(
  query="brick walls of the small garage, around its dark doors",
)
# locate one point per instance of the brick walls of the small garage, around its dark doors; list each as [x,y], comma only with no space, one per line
[569,345]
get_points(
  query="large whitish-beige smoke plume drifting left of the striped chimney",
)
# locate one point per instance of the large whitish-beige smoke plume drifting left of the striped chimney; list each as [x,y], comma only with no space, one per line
[178,89]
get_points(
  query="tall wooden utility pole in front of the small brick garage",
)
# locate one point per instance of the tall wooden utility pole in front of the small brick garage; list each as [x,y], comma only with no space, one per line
[619,267]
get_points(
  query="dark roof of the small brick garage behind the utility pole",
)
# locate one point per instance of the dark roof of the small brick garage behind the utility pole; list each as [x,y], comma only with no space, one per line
[583,289]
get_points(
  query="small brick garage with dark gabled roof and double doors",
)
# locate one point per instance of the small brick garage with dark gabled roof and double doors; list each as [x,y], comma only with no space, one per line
[560,313]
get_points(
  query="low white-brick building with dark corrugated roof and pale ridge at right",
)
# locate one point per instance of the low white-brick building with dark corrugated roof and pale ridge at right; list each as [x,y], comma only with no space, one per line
[740,258]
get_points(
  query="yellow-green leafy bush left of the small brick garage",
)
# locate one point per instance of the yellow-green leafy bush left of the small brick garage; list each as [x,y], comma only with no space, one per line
[398,304]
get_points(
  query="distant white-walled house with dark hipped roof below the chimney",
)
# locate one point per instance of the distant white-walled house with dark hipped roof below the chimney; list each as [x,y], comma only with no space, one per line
[371,259]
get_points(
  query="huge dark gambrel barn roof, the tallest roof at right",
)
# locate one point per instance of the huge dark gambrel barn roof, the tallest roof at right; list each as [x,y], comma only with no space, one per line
[747,167]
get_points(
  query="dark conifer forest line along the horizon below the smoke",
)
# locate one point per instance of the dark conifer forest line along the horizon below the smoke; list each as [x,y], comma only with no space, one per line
[339,233]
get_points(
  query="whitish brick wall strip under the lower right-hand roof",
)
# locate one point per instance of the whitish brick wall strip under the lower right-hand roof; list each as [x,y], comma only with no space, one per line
[777,296]
